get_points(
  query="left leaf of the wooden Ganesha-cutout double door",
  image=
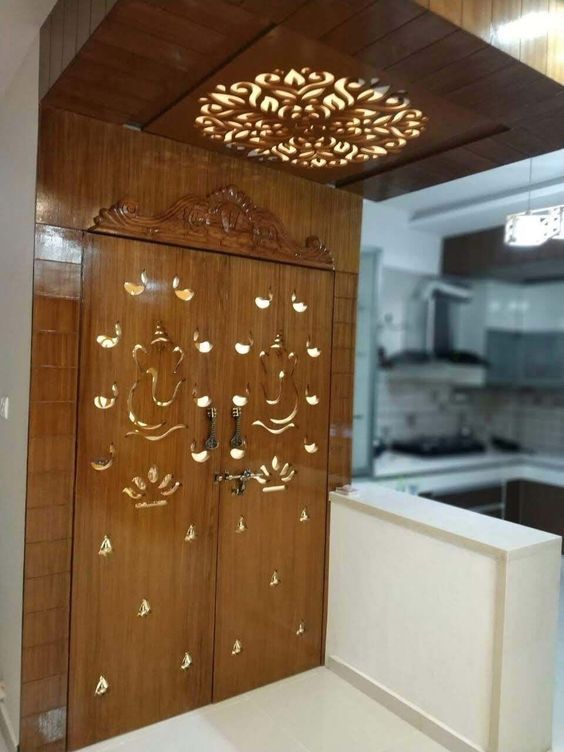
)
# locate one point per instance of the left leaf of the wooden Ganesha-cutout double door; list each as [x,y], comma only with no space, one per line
[146,508]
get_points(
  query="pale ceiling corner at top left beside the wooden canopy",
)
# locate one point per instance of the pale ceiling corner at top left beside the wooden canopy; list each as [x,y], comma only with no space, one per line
[20,21]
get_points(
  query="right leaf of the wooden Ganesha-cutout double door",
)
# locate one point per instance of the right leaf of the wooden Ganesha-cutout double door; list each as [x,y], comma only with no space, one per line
[272,537]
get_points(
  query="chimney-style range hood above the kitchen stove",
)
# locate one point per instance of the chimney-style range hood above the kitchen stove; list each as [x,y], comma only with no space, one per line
[438,360]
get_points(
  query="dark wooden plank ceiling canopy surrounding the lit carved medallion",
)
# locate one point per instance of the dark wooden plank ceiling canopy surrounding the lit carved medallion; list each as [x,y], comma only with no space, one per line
[146,62]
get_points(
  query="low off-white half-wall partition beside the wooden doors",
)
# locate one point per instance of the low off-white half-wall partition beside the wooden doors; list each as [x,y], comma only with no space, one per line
[446,617]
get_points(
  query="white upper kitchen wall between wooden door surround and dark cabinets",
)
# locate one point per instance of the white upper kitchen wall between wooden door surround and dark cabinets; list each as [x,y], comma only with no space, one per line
[402,247]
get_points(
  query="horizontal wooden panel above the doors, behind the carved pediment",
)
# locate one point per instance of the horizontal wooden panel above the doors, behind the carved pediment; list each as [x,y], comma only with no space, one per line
[121,162]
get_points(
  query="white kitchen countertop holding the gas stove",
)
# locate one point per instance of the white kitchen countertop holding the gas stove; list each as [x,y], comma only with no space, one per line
[419,475]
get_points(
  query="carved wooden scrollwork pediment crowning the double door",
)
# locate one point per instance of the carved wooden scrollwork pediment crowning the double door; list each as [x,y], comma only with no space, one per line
[225,219]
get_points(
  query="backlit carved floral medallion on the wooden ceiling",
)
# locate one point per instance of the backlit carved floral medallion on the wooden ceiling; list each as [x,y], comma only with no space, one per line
[310,118]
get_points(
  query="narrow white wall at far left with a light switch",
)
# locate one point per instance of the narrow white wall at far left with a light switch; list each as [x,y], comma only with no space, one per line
[18,148]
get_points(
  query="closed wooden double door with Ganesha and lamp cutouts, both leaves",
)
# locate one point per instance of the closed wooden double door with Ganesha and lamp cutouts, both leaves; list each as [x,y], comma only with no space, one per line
[191,584]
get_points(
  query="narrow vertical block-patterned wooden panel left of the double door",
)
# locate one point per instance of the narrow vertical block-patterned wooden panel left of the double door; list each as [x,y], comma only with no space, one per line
[56,311]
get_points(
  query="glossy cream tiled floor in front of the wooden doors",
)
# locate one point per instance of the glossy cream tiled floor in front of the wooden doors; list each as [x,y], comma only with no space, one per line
[312,712]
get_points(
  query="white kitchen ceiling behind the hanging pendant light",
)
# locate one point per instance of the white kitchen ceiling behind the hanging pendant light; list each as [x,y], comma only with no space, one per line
[483,200]
